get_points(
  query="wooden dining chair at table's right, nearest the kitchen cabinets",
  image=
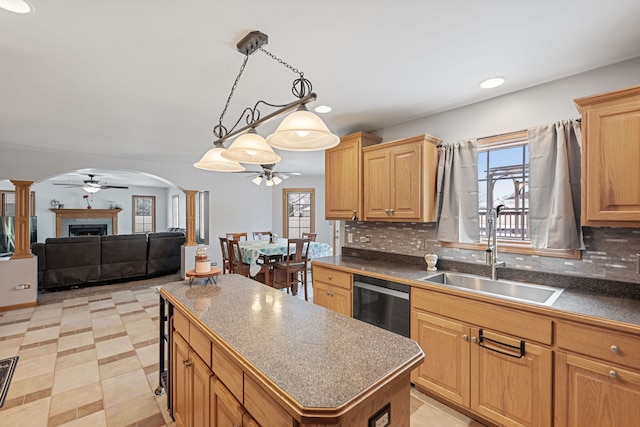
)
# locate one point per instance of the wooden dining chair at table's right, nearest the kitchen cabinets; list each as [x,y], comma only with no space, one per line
[292,272]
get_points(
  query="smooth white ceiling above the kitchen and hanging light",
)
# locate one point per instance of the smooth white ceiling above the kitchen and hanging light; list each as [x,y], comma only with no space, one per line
[130,78]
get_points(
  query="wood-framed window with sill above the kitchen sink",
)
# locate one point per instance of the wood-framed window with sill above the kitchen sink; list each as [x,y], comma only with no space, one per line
[503,179]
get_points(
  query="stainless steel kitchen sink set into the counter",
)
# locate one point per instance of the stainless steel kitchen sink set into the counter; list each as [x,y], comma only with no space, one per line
[517,291]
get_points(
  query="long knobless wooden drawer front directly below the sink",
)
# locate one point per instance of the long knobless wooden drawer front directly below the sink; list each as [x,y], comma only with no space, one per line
[523,325]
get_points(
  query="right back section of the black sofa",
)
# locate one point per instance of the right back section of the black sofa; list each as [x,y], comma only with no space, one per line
[164,253]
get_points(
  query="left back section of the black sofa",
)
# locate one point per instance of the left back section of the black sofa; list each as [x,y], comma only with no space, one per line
[72,260]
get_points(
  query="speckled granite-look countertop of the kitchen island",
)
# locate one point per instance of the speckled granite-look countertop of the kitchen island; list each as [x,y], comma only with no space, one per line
[320,358]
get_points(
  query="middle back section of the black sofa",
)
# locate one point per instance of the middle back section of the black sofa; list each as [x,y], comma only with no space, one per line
[123,256]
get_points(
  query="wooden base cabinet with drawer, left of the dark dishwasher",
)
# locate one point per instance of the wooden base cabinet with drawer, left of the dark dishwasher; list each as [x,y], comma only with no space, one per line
[332,289]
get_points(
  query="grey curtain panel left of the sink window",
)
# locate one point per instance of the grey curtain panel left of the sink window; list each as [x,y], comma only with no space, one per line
[457,192]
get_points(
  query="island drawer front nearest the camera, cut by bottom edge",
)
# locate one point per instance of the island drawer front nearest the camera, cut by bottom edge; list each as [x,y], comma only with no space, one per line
[262,407]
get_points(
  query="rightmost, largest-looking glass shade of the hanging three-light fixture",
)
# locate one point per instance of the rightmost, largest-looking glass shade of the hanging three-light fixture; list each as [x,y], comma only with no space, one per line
[302,131]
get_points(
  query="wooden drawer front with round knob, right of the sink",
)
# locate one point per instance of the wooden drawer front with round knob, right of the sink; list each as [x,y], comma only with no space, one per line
[608,345]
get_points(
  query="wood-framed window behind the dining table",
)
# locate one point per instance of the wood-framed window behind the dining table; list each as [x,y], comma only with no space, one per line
[299,211]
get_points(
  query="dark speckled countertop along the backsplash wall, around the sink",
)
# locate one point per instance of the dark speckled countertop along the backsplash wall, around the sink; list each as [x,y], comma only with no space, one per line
[573,301]
